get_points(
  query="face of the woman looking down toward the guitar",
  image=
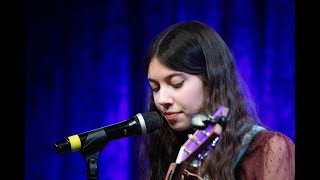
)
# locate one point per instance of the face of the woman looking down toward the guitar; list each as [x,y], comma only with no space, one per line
[177,95]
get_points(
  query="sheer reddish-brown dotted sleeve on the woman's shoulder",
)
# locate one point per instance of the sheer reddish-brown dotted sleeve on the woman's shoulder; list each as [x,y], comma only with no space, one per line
[270,155]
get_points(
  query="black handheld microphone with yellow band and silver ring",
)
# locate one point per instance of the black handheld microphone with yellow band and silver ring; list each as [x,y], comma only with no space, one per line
[140,124]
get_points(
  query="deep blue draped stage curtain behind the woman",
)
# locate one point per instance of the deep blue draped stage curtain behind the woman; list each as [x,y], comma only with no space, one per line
[84,69]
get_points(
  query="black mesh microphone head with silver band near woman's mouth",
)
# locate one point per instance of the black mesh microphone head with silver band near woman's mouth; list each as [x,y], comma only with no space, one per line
[151,120]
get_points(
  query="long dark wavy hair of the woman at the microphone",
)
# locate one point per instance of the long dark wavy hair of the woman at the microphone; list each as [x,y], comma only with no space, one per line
[195,48]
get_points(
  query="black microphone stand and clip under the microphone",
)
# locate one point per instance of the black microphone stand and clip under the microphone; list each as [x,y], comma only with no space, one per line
[95,143]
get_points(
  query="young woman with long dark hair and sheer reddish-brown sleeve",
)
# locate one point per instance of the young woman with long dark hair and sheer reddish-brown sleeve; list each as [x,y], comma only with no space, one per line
[191,70]
